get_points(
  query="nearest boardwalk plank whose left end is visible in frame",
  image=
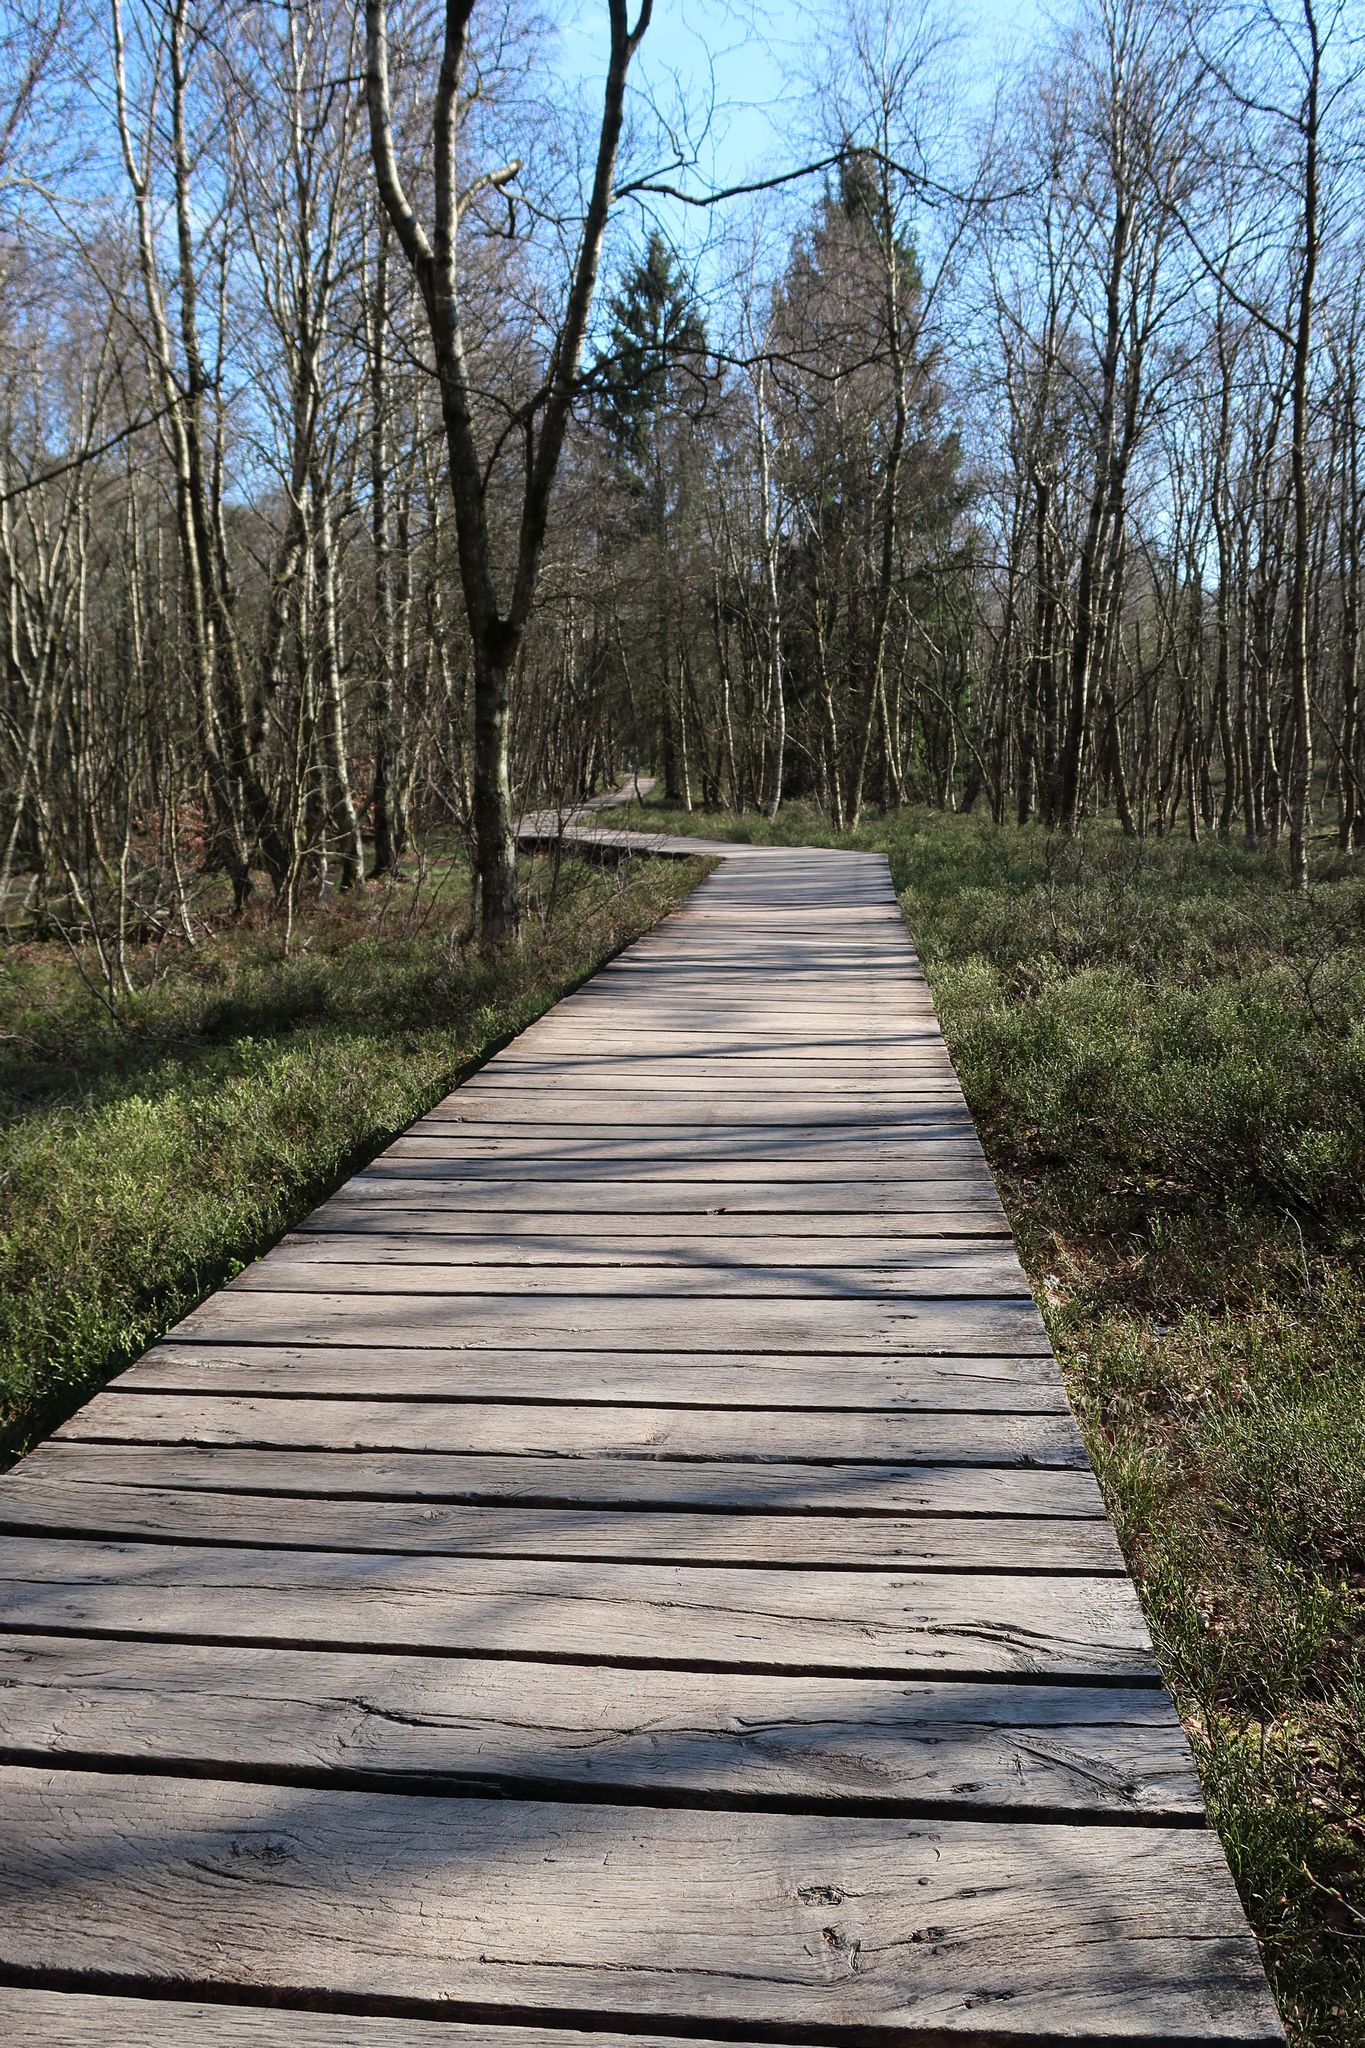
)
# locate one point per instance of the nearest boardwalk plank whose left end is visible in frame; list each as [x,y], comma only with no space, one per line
[642,1484]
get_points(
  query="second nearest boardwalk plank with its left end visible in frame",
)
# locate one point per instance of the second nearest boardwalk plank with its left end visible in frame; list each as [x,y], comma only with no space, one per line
[566,1431]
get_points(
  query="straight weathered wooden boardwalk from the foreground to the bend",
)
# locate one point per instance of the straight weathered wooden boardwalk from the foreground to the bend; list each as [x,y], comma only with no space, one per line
[623,1568]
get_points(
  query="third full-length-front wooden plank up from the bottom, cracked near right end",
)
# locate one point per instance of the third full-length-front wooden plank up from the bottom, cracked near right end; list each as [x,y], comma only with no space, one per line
[877,1623]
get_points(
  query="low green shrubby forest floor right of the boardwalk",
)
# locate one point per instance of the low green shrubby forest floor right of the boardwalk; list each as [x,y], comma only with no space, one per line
[1165,1054]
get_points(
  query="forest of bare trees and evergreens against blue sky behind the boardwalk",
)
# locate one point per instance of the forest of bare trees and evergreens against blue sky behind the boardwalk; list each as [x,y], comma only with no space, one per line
[388,447]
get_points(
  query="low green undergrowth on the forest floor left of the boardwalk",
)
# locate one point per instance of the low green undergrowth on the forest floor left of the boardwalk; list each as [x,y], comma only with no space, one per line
[148,1156]
